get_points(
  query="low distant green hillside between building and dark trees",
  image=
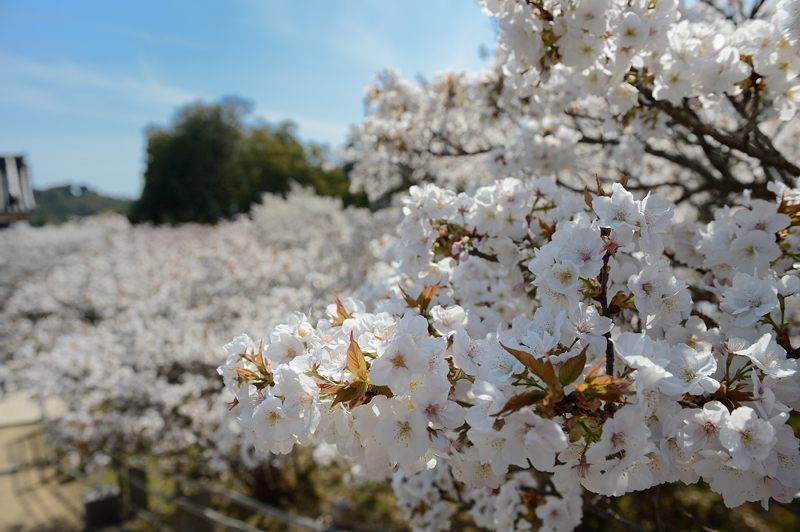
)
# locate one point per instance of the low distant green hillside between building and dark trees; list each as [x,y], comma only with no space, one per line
[58,204]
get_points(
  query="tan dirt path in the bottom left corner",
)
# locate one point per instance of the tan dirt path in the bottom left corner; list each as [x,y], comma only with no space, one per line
[32,495]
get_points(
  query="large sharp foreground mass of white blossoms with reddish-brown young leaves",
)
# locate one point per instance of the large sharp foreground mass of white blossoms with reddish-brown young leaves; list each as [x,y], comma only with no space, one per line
[533,343]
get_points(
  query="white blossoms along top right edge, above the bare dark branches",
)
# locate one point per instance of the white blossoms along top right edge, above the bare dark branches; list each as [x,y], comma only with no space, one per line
[686,53]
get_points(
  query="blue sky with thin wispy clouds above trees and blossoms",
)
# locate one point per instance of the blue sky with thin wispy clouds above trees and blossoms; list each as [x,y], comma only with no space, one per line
[80,80]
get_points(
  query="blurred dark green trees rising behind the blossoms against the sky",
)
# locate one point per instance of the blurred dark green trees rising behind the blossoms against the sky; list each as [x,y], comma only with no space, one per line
[210,163]
